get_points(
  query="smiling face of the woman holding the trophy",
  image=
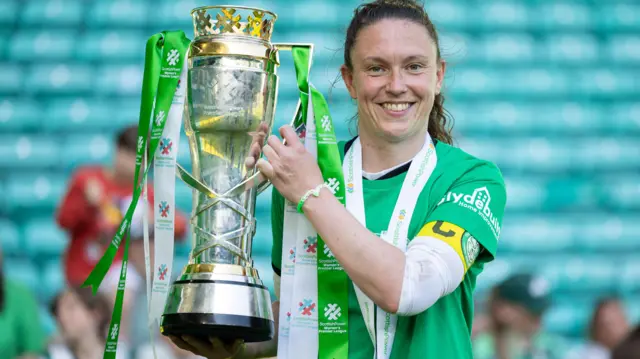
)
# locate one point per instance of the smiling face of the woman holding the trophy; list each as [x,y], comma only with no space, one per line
[395,77]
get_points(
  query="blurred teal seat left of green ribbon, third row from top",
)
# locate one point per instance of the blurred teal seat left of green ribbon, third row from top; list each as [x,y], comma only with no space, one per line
[119,80]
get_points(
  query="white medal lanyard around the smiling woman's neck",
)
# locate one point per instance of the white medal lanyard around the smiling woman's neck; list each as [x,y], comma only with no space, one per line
[420,170]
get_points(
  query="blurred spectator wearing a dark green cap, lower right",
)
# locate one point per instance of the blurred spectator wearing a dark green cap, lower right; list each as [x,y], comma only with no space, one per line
[515,330]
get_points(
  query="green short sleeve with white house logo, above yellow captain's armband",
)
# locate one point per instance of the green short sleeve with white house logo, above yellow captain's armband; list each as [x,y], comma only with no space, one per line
[475,203]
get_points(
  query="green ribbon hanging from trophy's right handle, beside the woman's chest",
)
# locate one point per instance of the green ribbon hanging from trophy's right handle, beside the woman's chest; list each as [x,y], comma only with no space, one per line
[333,290]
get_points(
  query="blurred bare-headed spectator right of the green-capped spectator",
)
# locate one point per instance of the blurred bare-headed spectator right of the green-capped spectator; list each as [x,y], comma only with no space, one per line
[607,329]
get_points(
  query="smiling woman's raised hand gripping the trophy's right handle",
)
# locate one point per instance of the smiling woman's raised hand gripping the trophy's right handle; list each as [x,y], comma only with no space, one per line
[291,168]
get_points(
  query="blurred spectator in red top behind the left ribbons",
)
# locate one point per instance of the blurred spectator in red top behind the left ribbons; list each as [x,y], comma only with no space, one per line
[91,211]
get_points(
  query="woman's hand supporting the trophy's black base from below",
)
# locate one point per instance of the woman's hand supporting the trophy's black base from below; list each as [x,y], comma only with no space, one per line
[212,349]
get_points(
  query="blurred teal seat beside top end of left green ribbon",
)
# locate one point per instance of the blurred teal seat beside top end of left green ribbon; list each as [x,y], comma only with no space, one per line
[112,46]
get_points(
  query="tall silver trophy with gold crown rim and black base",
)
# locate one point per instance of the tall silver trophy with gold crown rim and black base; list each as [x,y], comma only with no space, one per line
[231,98]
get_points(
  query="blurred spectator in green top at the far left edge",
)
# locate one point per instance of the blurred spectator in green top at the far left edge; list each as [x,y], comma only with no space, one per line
[21,334]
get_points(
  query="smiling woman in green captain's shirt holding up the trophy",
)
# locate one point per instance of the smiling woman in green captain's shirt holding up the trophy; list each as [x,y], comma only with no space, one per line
[449,210]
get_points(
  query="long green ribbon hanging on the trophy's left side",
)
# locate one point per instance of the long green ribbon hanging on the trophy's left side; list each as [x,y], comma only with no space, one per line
[164,58]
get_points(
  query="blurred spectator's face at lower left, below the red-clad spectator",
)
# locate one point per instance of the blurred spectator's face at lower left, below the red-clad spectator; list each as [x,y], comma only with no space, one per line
[74,318]
